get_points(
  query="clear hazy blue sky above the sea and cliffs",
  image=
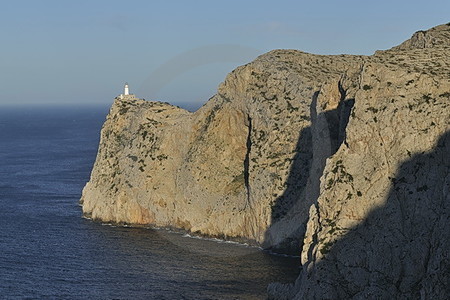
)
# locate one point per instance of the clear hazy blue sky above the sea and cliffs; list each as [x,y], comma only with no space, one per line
[69,52]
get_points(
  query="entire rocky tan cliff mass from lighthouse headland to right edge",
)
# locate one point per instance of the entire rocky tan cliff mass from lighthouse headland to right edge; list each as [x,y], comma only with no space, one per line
[345,157]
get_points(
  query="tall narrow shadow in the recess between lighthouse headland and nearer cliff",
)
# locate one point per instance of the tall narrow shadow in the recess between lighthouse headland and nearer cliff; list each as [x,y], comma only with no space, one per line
[315,144]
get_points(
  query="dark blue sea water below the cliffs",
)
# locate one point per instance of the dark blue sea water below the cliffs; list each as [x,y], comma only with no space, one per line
[48,251]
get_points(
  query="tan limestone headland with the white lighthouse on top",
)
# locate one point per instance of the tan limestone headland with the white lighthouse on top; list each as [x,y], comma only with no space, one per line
[245,165]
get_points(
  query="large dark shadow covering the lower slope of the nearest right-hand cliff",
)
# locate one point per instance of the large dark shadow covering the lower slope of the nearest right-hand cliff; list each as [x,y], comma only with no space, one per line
[400,250]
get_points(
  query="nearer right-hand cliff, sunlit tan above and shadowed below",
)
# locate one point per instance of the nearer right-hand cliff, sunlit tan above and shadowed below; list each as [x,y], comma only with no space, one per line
[379,229]
